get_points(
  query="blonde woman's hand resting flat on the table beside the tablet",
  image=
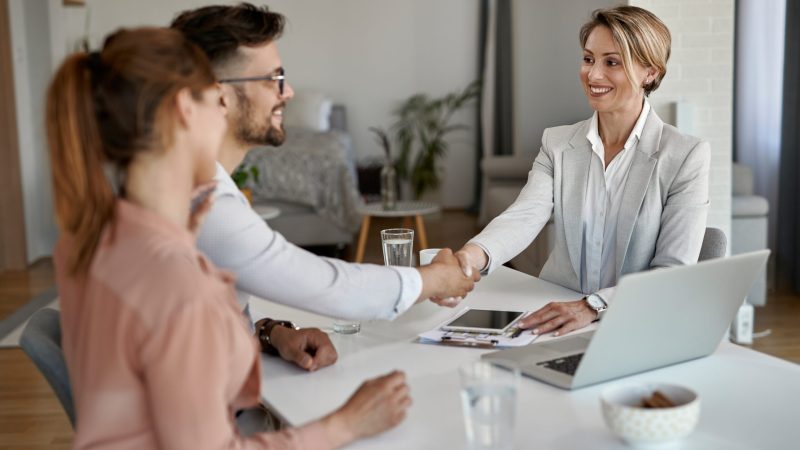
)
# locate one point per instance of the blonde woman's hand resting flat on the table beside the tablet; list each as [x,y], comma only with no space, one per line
[562,317]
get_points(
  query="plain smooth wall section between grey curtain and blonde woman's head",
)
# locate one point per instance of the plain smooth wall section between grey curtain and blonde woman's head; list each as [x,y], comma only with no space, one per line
[547,58]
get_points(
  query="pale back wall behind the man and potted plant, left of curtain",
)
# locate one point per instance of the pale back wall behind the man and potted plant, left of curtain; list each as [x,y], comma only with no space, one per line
[367,54]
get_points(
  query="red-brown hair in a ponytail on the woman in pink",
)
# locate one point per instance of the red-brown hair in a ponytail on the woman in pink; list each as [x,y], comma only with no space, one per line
[104,109]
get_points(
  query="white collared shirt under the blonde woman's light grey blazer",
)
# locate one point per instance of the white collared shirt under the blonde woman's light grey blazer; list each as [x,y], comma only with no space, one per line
[604,190]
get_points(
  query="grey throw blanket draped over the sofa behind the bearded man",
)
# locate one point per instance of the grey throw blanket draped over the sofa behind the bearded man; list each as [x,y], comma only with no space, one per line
[312,168]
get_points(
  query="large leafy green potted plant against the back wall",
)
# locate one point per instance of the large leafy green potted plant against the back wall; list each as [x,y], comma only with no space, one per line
[420,129]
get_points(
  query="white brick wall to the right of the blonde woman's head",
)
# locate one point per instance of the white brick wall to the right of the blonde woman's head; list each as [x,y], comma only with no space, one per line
[700,73]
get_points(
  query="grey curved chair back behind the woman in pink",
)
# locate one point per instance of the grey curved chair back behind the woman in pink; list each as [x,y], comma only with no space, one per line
[41,341]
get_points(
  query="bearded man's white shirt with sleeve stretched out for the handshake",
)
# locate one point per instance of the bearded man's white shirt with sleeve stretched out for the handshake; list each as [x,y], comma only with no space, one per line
[235,238]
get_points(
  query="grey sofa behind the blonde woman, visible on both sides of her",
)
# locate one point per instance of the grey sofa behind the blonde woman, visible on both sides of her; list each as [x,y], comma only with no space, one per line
[504,176]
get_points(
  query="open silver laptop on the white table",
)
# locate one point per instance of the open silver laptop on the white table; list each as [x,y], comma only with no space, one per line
[657,318]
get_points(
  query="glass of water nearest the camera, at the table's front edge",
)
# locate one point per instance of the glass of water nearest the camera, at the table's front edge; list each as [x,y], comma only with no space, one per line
[489,404]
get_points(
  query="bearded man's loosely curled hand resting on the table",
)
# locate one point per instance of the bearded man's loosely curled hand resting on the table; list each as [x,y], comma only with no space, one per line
[309,348]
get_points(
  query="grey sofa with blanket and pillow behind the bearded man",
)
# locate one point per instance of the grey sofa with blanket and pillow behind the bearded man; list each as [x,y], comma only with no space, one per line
[311,178]
